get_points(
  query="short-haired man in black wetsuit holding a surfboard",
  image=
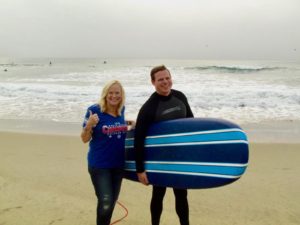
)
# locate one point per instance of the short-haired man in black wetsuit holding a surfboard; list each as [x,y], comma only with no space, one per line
[164,104]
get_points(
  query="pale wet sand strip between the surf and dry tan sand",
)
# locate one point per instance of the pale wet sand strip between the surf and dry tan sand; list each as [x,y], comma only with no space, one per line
[264,132]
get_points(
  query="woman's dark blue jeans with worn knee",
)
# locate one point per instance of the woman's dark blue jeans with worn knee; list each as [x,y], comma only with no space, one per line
[107,185]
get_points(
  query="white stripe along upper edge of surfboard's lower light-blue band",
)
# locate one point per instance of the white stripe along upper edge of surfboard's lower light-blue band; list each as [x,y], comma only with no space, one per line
[192,163]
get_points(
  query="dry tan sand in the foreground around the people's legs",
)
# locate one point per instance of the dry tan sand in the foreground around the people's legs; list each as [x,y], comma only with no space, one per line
[44,181]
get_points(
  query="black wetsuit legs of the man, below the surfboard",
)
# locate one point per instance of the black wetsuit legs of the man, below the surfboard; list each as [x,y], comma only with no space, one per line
[181,204]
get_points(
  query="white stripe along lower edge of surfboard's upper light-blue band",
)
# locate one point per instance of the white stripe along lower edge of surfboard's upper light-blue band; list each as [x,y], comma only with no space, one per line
[194,143]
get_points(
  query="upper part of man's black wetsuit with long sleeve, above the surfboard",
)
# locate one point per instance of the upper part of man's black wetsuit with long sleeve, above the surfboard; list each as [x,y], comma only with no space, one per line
[157,108]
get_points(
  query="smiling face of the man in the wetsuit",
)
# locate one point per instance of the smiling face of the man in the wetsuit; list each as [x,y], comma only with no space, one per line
[162,82]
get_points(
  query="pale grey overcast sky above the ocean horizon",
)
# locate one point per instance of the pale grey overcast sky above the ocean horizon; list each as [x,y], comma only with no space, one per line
[185,29]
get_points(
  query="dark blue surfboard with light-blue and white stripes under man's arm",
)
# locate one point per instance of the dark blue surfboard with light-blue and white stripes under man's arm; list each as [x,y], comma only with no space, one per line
[191,153]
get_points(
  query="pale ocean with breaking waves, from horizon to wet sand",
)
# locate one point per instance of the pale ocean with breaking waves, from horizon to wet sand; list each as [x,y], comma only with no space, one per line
[58,91]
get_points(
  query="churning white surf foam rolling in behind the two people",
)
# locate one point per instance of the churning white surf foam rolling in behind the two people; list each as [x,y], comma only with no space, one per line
[63,95]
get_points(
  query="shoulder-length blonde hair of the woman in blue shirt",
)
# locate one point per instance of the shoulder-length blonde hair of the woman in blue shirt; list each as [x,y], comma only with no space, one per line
[103,102]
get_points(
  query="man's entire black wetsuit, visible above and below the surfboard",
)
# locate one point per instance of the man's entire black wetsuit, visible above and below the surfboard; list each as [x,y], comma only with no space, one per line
[158,108]
